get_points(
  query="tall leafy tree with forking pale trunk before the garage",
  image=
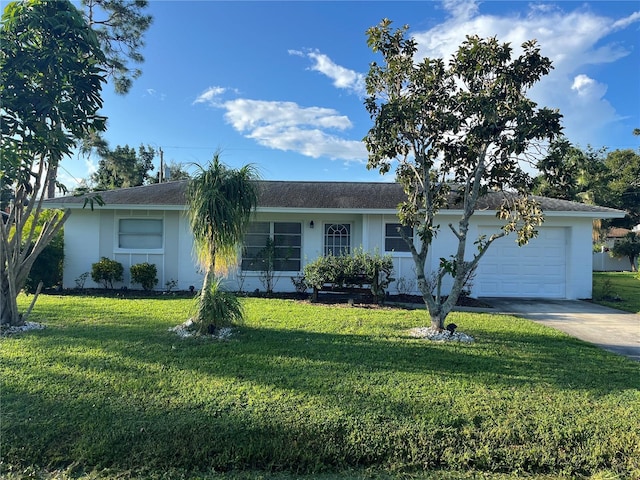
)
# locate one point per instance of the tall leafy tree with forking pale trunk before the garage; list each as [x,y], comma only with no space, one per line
[456,130]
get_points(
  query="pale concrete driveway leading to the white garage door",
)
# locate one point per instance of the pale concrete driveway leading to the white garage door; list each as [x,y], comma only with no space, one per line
[613,330]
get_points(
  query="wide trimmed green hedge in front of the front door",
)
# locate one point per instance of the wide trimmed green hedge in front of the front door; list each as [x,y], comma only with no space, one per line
[358,269]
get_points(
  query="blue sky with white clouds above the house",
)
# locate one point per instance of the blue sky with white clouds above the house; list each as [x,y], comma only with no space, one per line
[280,84]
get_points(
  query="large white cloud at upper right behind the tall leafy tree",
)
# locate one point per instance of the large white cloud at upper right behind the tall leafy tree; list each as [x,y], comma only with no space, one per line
[571,40]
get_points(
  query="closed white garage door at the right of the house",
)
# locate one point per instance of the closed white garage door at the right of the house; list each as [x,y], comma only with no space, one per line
[537,269]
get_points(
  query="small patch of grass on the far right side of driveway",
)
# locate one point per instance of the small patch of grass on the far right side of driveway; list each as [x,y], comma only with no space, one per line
[619,290]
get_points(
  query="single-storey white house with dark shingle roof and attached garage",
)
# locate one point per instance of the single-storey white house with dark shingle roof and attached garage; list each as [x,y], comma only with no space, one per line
[309,219]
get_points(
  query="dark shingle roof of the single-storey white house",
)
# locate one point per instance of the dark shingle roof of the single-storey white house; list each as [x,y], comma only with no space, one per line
[313,195]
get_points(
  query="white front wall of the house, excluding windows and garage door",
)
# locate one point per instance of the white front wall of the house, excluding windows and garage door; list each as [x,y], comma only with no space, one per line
[91,235]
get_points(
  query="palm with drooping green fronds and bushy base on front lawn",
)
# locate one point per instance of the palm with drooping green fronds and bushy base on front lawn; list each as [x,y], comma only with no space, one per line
[220,201]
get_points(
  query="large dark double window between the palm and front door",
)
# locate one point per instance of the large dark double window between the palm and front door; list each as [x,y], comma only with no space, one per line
[287,246]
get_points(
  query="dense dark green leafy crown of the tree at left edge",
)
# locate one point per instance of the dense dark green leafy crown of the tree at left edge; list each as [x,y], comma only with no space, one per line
[50,79]
